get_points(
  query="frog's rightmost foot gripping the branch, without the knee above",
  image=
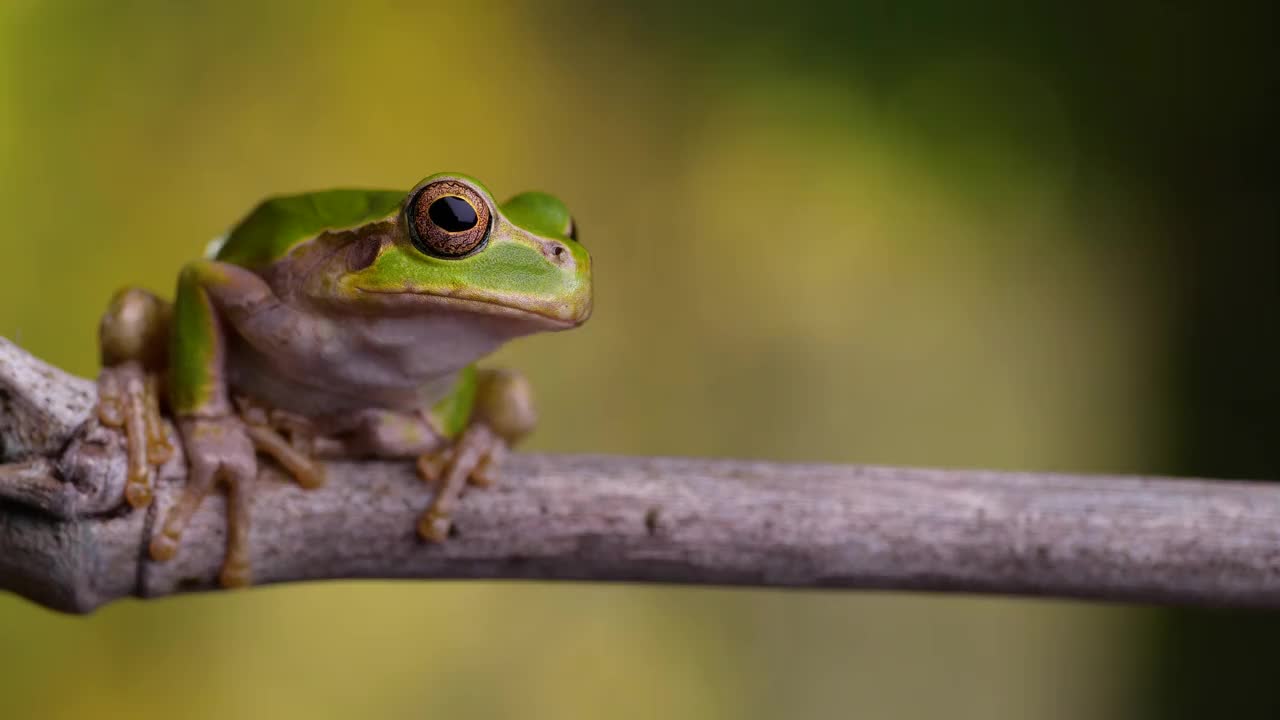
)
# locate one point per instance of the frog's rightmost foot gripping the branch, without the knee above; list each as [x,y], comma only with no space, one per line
[474,459]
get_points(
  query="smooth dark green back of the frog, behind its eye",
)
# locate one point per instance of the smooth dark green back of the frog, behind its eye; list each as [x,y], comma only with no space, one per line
[284,222]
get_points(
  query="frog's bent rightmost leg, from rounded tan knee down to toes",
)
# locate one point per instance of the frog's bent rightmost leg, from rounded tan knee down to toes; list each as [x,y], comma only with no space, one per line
[501,416]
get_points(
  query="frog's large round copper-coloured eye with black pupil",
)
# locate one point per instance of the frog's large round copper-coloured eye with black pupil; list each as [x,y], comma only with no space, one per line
[449,220]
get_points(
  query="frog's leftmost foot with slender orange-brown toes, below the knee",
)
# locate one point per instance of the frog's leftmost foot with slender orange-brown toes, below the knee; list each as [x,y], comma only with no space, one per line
[129,399]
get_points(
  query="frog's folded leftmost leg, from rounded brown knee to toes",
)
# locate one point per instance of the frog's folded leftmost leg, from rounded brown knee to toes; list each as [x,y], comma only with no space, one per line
[134,338]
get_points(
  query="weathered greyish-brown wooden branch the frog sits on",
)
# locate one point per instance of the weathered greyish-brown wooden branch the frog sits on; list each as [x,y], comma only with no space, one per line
[66,543]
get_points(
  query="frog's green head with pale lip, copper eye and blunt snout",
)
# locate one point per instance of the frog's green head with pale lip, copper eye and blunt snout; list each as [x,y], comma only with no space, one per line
[451,248]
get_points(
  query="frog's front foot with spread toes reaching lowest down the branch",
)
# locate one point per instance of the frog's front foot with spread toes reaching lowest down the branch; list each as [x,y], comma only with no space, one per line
[218,449]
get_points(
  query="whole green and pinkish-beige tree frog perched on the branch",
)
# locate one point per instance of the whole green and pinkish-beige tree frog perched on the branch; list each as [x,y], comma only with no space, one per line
[341,325]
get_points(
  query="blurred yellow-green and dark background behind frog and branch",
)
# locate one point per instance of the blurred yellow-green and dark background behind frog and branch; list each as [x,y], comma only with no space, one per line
[922,234]
